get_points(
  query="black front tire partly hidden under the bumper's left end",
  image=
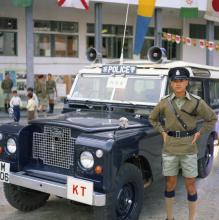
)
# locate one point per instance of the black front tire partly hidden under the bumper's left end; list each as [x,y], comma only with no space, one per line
[24,199]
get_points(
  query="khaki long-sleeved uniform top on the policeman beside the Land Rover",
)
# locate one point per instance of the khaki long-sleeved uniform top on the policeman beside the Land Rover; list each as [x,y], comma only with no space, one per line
[182,146]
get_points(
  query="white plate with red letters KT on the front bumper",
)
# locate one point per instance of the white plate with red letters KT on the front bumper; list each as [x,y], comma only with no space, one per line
[80,190]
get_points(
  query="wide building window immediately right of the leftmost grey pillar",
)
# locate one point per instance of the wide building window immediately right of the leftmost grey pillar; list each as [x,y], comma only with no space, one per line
[56,38]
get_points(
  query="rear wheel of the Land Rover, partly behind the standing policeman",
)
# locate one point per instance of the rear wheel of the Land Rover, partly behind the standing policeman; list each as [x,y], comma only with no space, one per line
[205,163]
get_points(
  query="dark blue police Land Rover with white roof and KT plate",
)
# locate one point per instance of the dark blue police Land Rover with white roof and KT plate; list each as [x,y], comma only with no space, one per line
[101,151]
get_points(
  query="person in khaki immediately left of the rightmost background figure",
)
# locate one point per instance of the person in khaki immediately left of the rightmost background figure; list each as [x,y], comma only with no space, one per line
[40,89]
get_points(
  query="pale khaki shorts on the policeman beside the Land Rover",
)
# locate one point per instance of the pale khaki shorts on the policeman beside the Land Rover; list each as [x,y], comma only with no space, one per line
[172,164]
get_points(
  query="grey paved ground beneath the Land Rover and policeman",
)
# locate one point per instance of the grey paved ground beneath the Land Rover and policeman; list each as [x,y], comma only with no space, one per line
[153,209]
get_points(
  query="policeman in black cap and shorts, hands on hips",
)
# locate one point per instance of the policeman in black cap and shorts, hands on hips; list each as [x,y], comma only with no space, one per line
[180,111]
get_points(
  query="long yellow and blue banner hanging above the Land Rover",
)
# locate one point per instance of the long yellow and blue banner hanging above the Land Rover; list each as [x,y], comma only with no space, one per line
[145,12]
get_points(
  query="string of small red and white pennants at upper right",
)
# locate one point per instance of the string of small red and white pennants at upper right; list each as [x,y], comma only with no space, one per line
[202,43]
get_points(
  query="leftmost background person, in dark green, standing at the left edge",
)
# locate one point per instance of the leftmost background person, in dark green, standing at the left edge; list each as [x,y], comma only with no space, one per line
[6,86]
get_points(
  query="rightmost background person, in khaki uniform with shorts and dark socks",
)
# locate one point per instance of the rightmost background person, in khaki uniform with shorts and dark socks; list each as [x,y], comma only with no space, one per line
[51,92]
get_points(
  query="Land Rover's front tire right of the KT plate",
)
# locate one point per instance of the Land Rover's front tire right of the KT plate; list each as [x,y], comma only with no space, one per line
[125,201]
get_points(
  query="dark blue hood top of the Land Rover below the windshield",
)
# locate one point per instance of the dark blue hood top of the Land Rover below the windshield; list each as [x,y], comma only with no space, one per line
[92,121]
